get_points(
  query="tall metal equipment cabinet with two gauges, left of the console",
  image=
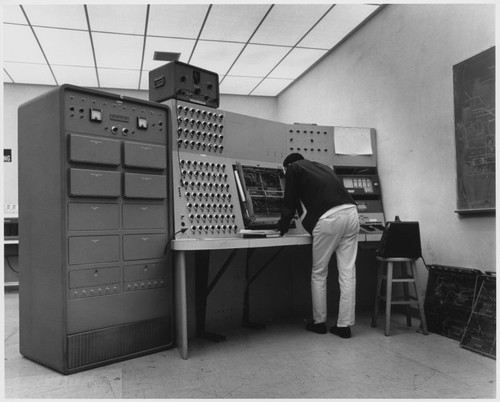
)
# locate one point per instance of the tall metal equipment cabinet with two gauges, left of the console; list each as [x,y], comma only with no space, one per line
[95,283]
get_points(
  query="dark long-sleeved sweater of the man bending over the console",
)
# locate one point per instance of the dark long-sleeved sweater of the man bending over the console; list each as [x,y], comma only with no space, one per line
[317,186]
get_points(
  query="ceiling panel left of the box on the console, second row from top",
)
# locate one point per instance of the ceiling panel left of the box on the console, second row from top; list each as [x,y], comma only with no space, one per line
[118,51]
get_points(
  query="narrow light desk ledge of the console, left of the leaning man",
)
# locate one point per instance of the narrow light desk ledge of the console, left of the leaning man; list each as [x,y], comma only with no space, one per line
[230,243]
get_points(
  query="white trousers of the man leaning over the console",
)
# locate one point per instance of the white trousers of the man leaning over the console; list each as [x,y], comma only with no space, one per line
[337,233]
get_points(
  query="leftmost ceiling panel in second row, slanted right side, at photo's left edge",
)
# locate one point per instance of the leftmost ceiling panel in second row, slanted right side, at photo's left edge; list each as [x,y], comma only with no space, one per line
[20,45]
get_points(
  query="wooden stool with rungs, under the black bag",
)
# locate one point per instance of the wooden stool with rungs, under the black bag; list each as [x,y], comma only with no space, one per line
[405,278]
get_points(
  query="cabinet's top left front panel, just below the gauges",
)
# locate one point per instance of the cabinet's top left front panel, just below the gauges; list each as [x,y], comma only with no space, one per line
[96,150]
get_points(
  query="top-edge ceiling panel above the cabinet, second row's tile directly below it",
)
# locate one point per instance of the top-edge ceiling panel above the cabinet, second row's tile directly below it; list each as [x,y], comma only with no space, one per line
[130,19]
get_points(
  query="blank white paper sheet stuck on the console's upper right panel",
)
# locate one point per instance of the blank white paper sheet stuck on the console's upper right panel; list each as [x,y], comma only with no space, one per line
[352,141]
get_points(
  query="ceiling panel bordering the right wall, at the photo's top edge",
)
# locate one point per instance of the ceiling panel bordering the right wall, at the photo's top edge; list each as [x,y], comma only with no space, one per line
[341,20]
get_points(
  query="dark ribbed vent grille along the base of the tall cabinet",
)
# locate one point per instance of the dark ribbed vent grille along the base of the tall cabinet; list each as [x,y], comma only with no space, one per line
[100,346]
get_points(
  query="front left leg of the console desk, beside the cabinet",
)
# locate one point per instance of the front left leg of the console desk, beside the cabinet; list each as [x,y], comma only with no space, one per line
[181,303]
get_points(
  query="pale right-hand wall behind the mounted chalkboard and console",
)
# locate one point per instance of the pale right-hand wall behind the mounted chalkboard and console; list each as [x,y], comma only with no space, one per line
[395,75]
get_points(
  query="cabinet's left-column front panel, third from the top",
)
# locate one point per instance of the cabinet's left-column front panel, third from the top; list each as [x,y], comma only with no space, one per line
[93,216]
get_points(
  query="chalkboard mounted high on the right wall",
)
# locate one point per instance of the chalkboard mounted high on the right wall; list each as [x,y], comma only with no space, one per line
[474,100]
